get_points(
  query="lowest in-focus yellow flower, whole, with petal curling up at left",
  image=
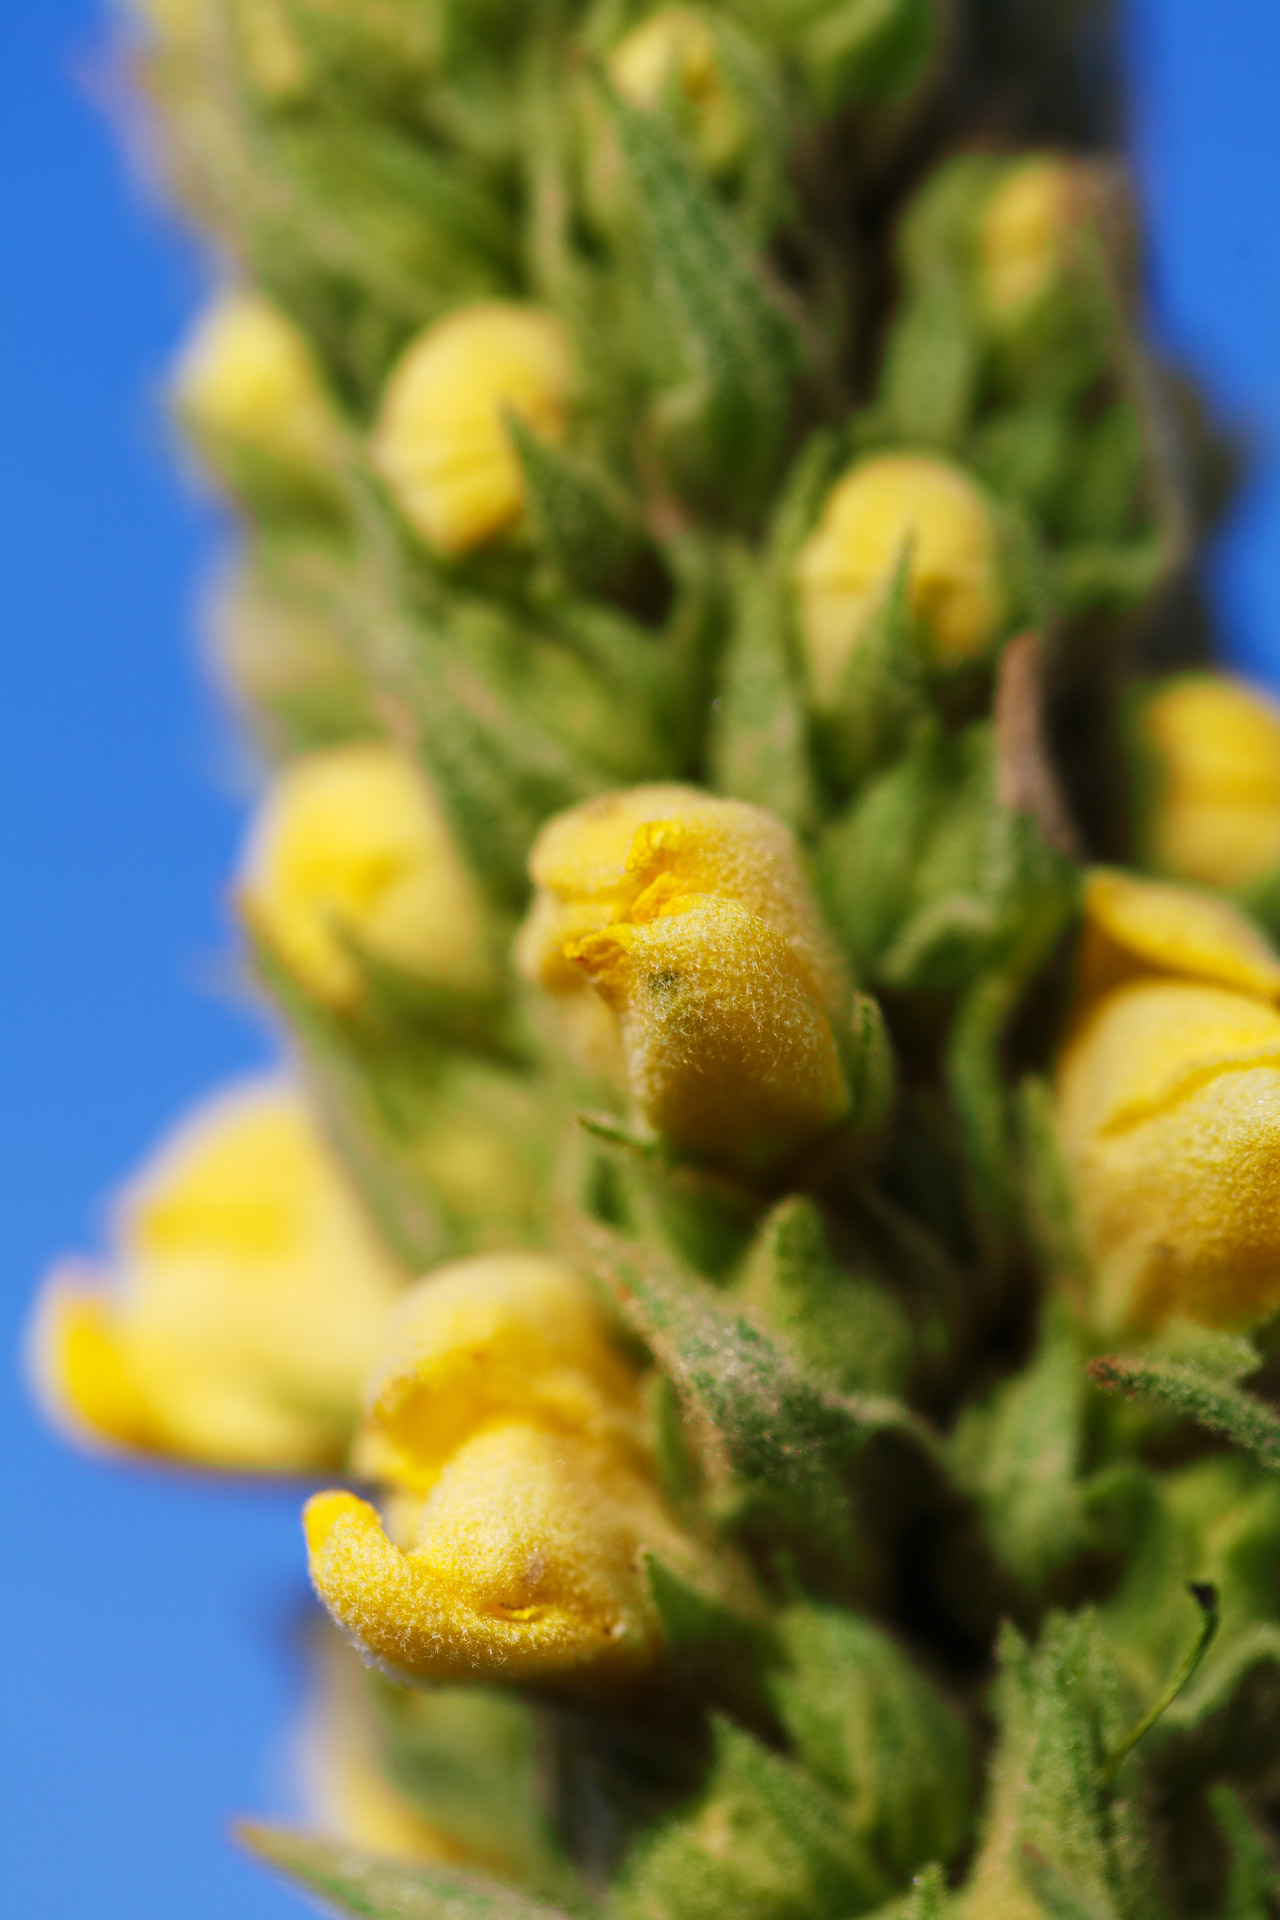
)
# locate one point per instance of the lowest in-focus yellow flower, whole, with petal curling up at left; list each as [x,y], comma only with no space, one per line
[523,1499]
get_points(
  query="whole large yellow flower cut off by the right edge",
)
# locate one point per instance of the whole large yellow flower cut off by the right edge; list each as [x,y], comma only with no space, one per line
[1170,1109]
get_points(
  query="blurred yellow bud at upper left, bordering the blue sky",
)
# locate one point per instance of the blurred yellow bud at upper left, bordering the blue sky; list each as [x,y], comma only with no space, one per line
[247,385]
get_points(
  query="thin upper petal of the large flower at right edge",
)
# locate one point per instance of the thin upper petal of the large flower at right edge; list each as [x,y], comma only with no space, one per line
[1152,926]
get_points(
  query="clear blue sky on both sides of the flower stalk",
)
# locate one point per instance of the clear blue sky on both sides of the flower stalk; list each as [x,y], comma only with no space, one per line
[145,1620]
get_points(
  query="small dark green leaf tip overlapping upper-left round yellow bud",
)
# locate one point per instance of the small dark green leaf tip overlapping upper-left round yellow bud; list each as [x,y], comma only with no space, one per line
[577,519]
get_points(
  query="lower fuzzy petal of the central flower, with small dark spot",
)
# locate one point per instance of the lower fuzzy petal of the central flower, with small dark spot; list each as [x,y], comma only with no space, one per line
[730,1053]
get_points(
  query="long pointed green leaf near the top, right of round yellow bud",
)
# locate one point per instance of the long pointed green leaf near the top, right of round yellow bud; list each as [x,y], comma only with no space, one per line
[740,347]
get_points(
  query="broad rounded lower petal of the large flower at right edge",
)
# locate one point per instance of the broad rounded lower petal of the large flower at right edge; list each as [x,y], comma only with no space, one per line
[1170,1113]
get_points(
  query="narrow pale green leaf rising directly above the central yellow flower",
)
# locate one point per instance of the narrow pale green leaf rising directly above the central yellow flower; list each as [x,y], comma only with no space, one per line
[759,744]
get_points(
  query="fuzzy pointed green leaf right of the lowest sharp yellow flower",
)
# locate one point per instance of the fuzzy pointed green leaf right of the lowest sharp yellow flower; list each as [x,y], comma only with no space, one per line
[763,1420]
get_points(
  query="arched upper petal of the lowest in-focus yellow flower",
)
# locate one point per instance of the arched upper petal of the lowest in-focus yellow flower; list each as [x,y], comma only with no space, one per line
[485,1341]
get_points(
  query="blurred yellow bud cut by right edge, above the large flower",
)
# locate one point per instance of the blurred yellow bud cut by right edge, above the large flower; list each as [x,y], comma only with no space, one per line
[1216,817]
